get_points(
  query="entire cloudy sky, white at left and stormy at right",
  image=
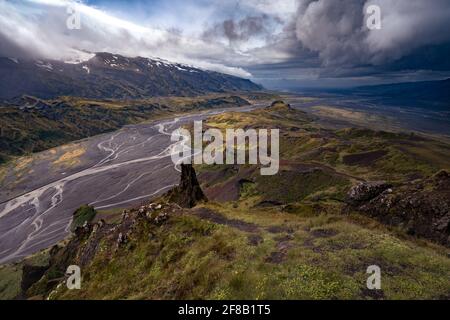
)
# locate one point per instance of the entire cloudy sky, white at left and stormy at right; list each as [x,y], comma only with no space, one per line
[284,44]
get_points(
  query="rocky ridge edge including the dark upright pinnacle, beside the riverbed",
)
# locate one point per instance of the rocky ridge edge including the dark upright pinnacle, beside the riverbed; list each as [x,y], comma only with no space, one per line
[91,238]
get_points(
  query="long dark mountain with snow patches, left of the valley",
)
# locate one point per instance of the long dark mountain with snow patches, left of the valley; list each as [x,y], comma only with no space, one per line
[108,75]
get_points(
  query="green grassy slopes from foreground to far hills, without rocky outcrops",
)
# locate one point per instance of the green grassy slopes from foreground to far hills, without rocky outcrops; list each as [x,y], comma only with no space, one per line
[305,249]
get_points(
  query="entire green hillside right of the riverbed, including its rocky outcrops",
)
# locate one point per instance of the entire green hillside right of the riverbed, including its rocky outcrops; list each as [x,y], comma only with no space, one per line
[309,232]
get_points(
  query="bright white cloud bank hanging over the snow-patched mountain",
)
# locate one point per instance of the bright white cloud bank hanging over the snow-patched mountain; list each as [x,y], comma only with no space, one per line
[39,28]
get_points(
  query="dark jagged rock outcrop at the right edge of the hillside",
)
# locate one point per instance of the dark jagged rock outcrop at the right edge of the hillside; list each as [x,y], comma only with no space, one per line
[421,208]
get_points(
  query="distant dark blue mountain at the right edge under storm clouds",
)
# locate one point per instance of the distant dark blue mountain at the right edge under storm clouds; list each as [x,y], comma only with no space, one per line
[422,94]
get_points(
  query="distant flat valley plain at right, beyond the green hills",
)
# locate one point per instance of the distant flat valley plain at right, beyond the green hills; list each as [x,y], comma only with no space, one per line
[343,110]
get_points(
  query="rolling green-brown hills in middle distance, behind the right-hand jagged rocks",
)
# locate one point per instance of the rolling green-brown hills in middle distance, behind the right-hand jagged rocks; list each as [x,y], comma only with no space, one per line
[353,153]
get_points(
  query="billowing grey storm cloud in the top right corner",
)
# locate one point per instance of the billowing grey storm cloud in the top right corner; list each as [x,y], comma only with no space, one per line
[337,30]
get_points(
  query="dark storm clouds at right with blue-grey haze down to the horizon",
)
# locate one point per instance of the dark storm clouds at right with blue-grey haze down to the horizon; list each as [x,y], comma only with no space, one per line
[328,42]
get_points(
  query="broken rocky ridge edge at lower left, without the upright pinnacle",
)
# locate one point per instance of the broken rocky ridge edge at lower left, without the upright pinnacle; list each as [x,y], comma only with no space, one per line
[91,239]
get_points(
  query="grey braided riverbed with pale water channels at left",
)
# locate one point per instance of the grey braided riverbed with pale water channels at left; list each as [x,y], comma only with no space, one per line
[115,170]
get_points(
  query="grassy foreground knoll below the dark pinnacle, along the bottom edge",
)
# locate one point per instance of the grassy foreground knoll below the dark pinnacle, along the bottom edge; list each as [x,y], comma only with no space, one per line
[295,256]
